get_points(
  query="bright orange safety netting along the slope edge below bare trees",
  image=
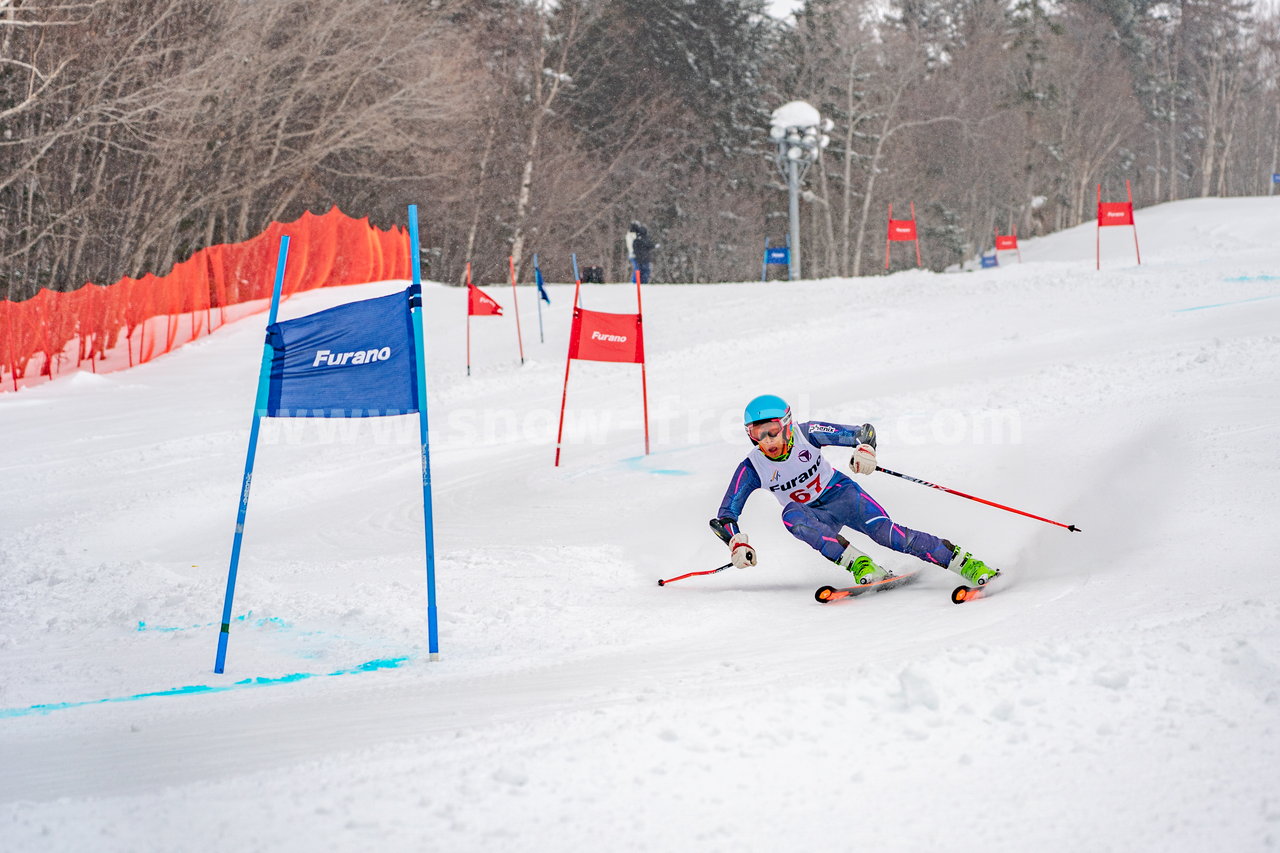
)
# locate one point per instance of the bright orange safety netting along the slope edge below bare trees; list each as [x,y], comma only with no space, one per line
[154,314]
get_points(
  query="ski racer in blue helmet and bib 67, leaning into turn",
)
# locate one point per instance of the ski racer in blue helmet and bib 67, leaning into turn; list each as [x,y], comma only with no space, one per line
[817,501]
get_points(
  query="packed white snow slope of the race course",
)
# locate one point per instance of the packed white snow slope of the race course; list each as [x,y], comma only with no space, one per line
[1119,692]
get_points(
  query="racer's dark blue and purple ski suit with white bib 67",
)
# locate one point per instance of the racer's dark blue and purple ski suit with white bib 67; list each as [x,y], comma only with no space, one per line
[819,501]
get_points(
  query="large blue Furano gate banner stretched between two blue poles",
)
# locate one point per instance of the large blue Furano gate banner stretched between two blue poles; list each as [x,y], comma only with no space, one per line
[355,361]
